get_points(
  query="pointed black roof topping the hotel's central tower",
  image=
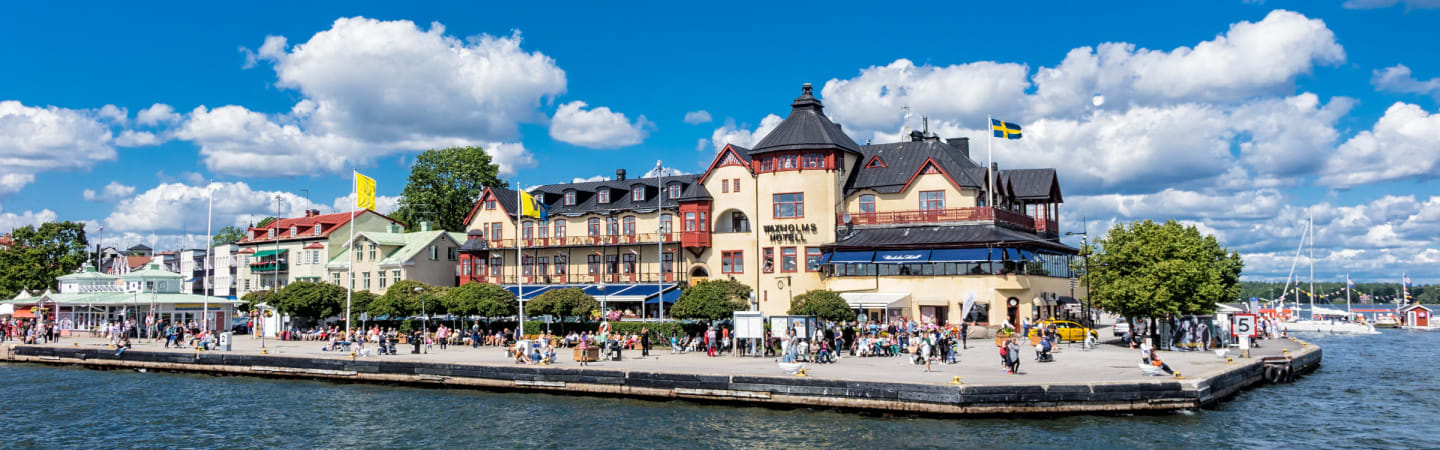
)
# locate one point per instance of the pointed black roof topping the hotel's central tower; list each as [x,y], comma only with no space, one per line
[807,128]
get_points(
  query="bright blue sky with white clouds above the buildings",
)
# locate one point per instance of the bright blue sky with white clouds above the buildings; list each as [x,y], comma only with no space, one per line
[1243,119]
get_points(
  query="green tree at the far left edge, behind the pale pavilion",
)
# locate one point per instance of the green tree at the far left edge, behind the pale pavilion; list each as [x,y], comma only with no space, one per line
[42,255]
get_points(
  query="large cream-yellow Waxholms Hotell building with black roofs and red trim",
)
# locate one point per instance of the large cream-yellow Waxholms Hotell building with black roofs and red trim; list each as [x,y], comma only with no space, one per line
[901,230]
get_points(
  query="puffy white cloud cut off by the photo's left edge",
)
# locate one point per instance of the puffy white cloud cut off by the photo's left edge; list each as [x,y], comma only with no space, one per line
[40,139]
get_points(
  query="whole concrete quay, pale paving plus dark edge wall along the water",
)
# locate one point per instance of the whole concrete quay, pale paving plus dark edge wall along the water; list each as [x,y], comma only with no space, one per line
[1045,390]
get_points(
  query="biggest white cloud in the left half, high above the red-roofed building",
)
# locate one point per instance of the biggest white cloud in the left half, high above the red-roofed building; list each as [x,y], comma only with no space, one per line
[375,89]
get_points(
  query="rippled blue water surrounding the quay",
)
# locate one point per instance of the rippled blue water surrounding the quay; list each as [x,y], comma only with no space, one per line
[1372,392]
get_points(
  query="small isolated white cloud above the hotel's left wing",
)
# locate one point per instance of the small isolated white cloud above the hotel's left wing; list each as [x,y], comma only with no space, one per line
[597,129]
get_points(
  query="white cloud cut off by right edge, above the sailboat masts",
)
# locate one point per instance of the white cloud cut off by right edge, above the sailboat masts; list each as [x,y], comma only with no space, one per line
[1405,144]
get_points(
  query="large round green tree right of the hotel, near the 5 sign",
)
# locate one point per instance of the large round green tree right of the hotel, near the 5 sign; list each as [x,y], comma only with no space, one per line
[1156,270]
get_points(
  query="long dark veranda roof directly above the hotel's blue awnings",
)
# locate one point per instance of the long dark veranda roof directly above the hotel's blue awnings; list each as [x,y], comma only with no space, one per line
[942,237]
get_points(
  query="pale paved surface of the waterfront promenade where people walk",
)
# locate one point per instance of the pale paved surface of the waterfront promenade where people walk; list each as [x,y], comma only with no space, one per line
[980,364]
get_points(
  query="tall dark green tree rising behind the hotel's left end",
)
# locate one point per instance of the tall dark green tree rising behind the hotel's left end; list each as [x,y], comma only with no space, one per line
[444,187]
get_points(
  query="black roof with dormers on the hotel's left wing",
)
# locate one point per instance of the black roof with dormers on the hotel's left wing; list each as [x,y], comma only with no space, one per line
[587,198]
